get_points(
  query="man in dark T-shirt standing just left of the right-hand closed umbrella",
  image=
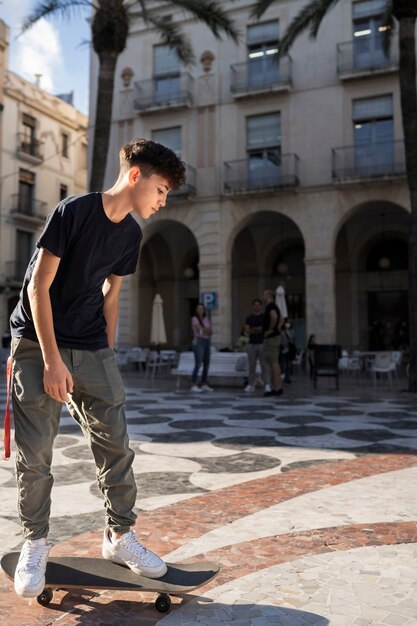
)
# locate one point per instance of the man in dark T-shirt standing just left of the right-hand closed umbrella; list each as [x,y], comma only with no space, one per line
[272,323]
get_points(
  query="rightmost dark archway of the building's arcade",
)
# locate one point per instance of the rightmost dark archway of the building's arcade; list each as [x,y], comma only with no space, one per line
[372,278]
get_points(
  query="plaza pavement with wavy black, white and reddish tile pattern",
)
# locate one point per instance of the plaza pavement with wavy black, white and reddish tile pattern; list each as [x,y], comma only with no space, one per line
[307,501]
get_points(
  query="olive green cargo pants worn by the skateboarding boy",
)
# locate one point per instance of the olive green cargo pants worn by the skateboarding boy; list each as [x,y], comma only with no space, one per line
[97,404]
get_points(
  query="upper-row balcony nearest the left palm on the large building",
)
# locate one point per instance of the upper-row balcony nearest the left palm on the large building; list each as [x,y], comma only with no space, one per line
[157,94]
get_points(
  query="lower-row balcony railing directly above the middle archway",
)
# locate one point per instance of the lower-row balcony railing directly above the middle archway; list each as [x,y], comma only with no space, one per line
[246,175]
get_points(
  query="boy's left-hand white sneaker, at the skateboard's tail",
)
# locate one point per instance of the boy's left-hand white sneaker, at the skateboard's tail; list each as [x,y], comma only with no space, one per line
[29,578]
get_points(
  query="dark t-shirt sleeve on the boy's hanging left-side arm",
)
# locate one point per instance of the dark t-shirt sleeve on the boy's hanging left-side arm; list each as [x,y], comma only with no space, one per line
[59,231]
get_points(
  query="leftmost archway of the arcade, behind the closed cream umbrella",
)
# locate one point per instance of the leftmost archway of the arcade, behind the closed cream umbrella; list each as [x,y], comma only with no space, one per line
[168,265]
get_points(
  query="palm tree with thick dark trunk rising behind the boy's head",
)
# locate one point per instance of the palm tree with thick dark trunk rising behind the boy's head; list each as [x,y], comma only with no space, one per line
[110,24]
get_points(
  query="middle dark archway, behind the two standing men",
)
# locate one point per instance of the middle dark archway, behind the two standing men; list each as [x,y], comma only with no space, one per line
[267,252]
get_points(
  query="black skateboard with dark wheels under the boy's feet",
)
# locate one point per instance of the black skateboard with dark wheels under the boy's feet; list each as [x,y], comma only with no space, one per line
[89,573]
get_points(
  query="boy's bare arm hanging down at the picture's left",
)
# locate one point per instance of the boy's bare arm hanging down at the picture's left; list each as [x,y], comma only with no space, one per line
[57,380]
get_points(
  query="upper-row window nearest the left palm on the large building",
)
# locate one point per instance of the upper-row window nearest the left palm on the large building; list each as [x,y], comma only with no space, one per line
[166,64]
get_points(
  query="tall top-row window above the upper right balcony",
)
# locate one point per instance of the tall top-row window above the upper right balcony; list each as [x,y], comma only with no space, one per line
[368,29]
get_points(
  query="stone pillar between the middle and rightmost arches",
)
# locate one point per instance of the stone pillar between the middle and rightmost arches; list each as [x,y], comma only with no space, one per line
[321,298]
